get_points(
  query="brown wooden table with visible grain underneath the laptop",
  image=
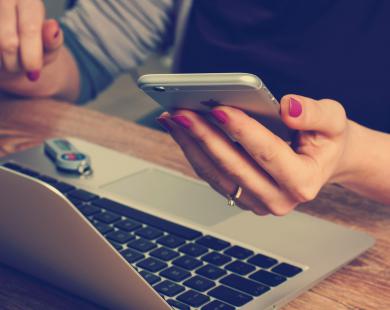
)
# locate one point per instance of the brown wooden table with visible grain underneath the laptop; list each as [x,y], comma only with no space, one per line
[363,284]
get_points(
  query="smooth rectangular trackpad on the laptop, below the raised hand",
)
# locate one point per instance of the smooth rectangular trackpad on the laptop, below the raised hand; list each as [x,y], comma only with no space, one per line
[173,195]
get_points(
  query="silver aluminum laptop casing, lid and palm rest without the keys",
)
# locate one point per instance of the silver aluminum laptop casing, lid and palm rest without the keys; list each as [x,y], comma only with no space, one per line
[43,234]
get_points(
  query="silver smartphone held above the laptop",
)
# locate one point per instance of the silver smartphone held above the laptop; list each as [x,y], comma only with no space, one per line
[205,91]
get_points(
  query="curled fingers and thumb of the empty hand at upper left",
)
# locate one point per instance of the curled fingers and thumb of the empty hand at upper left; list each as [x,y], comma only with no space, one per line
[28,42]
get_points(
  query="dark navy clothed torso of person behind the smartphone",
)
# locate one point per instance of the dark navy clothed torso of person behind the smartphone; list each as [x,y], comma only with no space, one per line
[320,49]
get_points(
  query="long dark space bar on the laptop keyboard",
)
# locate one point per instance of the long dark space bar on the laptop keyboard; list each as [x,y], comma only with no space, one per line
[176,229]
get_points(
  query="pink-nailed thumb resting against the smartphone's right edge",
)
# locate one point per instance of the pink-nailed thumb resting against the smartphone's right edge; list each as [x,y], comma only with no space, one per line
[325,116]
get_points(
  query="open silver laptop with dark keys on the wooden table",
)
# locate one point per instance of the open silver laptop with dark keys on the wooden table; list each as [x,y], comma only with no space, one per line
[135,235]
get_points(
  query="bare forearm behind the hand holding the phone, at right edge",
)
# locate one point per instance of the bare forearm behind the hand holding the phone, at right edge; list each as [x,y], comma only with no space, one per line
[366,168]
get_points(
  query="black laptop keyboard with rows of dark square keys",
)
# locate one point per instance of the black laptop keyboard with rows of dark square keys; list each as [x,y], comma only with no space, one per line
[189,269]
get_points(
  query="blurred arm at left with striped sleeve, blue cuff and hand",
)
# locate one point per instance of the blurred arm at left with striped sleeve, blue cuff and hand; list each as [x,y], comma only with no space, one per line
[100,45]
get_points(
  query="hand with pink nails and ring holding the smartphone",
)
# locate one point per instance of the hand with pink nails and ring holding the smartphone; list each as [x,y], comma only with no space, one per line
[274,176]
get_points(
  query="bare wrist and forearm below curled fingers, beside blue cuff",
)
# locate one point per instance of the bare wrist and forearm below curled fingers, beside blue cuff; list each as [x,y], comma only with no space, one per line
[59,79]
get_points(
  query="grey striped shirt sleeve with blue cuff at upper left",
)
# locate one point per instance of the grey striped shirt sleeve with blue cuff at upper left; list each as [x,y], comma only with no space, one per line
[118,35]
